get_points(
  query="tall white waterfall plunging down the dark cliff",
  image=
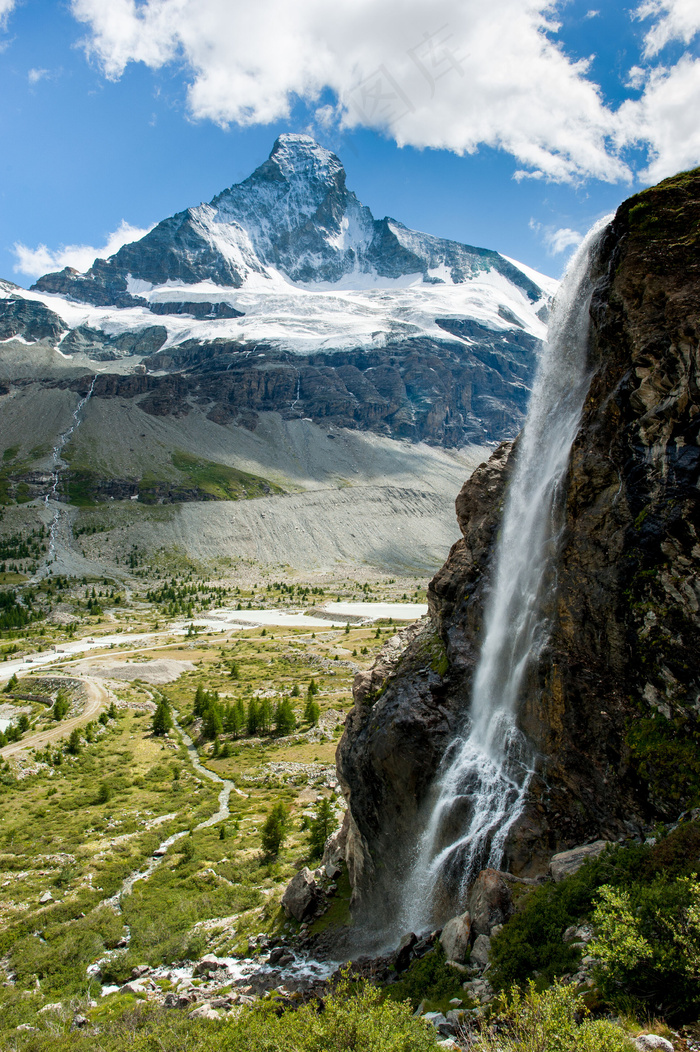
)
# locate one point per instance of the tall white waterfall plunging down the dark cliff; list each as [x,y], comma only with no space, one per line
[483,783]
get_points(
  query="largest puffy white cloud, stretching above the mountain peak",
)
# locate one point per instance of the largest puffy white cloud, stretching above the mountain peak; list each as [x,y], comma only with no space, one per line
[448,74]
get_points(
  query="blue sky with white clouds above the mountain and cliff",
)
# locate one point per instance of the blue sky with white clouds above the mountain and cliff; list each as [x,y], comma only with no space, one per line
[512,126]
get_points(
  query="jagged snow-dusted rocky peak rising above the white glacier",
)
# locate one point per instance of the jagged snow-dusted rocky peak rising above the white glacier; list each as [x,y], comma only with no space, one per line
[293,216]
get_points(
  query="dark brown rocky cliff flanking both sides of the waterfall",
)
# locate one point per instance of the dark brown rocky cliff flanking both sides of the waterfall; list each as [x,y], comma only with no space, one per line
[612,705]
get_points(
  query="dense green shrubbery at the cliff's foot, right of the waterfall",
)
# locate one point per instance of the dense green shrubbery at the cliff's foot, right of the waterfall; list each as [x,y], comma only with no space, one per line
[648,882]
